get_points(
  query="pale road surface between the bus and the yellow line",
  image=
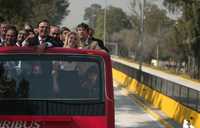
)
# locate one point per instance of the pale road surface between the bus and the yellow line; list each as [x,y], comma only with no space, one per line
[129,114]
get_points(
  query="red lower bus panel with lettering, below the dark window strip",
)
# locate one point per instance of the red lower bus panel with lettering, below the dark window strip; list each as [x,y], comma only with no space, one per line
[53,122]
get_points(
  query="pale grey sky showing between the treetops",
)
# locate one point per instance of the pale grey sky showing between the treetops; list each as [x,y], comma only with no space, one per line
[77,8]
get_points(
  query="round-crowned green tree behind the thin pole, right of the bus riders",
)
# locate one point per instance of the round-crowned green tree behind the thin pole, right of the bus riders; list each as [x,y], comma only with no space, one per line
[116,22]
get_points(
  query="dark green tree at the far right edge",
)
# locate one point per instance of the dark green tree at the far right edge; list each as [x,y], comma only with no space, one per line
[191,21]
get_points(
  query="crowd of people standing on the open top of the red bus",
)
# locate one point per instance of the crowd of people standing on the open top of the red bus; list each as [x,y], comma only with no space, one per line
[46,35]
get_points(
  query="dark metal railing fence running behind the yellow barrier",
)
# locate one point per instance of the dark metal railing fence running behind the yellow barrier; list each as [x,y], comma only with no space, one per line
[185,95]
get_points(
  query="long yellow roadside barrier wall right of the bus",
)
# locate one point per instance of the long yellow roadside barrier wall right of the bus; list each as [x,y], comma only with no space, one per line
[172,108]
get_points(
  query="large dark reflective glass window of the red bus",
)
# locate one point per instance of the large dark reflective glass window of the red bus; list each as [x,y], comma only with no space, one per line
[50,78]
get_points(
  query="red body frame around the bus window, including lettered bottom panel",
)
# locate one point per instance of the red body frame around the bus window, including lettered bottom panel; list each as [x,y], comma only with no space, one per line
[105,121]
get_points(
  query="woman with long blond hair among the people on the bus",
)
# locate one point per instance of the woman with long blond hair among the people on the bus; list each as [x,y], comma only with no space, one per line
[72,40]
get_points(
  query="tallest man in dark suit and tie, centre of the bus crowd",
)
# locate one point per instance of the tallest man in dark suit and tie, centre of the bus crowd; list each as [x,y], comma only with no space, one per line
[42,39]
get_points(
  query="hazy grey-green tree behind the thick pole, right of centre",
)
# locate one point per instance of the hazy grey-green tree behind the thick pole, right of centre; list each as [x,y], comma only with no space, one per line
[156,25]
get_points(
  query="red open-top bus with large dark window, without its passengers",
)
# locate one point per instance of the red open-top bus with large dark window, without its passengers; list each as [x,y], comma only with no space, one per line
[55,88]
